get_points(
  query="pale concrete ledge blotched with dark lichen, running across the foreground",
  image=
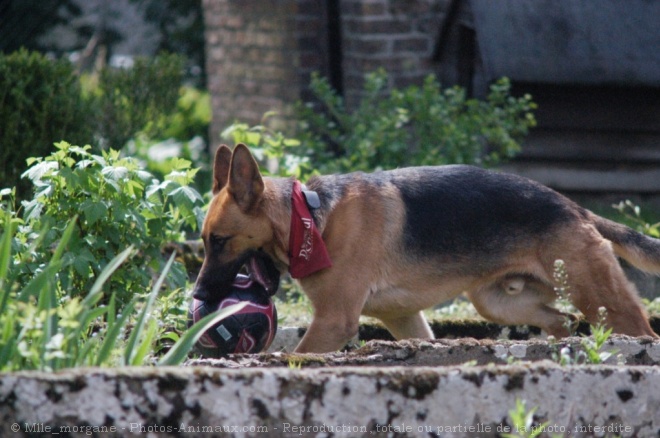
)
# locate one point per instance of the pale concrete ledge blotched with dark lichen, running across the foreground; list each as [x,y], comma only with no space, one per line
[351,402]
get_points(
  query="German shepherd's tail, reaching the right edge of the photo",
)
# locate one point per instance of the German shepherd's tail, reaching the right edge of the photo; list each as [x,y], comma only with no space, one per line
[641,251]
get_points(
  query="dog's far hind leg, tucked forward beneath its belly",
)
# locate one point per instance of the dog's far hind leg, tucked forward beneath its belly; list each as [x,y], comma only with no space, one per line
[521,300]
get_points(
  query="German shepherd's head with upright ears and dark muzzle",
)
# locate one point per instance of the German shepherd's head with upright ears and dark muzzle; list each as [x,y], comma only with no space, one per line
[236,228]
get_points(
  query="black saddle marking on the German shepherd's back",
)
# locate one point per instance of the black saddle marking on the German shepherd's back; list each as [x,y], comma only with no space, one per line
[464,210]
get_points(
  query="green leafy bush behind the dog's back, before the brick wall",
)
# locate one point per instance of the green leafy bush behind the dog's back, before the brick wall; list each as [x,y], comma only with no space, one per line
[424,125]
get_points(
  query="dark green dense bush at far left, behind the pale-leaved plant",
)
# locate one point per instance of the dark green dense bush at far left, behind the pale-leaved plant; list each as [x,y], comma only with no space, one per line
[40,103]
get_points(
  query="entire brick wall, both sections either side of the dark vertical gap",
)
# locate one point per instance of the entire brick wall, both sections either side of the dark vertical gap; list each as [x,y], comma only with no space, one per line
[260,54]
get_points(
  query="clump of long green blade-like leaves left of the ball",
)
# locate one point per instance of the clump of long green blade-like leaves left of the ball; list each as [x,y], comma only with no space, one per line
[39,331]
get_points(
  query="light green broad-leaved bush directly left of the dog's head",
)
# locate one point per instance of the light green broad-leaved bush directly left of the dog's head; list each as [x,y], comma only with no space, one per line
[119,205]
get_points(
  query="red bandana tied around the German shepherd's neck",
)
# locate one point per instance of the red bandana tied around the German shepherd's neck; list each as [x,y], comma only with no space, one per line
[307,252]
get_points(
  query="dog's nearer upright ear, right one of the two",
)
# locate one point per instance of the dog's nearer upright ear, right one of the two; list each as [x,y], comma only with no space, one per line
[245,182]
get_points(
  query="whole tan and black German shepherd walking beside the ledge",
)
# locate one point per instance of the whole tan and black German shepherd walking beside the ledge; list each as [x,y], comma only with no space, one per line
[404,240]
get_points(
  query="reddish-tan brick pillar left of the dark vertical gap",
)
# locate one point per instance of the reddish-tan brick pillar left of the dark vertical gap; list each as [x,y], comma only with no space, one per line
[259,55]
